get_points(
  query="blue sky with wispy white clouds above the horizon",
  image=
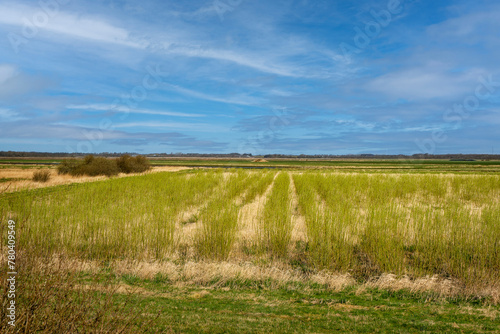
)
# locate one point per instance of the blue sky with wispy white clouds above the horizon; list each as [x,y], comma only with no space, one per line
[312,77]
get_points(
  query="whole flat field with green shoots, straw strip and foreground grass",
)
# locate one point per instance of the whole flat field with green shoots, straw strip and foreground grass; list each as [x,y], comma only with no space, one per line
[333,246]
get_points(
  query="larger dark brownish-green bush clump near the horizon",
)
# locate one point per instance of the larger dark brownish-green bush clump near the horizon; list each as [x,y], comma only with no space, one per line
[93,166]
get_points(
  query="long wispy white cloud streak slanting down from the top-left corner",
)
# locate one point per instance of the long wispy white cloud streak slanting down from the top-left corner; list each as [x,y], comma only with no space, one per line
[181,42]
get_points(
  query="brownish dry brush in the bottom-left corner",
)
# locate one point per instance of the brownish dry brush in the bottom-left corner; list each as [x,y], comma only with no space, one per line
[50,300]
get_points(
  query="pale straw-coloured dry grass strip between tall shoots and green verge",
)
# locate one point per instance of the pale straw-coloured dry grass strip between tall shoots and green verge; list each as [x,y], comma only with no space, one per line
[219,273]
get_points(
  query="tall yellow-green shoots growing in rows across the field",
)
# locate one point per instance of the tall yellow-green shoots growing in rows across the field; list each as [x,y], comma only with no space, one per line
[364,224]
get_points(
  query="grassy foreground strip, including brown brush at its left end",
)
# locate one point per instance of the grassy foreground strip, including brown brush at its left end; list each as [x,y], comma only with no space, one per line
[57,300]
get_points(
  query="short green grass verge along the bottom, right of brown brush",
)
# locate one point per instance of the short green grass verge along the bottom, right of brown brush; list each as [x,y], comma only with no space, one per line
[304,309]
